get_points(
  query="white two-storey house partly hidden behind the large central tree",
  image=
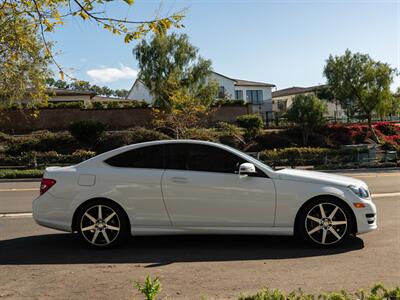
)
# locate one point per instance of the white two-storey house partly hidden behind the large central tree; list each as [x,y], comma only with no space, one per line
[258,95]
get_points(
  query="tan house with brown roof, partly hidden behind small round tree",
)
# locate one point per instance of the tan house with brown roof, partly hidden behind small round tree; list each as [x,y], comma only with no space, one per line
[283,99]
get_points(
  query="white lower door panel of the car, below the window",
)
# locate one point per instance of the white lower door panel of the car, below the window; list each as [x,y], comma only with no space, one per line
[218,199]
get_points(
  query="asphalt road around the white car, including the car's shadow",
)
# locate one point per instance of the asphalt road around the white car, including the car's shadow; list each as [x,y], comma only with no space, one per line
[36,262]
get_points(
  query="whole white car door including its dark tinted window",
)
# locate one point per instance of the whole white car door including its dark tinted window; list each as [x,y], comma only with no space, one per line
[201,187]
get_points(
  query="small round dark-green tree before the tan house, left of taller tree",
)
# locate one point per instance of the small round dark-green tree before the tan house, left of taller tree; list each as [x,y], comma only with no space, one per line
[307,111]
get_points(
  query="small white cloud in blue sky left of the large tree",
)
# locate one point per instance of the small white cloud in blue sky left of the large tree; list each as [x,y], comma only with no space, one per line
[112,74]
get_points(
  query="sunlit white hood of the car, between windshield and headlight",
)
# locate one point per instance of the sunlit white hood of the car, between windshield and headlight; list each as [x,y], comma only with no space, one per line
[319,177]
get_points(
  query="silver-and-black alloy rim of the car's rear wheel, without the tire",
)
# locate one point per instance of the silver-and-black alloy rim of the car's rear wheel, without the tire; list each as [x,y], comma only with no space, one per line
[100,225]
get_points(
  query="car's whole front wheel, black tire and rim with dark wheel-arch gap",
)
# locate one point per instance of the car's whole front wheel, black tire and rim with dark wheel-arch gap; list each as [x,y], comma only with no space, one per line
[320,228]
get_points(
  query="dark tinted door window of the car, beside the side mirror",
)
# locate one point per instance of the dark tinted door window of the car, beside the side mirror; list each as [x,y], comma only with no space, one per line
[194,157]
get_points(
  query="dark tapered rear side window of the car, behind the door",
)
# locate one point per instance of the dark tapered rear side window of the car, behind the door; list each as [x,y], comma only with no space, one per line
[150,157]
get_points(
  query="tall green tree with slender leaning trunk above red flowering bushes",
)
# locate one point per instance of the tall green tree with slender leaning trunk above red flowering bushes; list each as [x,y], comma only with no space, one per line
[360,83]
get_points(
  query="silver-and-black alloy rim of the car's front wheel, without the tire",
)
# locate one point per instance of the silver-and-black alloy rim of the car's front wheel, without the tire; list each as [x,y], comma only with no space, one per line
[326,223]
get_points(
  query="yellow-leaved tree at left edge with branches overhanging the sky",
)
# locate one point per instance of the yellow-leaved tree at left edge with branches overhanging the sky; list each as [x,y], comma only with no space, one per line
[25,51]
